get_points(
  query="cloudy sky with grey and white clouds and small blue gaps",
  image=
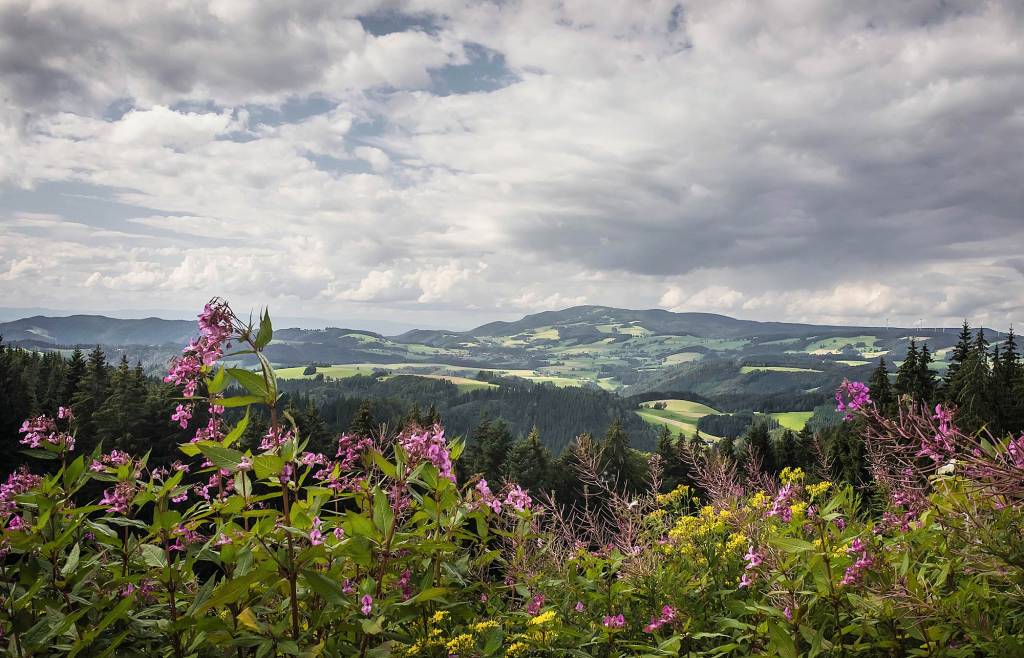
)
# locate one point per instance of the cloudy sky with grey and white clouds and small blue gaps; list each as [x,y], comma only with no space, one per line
[444,164]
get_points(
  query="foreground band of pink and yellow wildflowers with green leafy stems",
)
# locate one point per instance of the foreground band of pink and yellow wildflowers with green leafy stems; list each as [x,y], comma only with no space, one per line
[378,549]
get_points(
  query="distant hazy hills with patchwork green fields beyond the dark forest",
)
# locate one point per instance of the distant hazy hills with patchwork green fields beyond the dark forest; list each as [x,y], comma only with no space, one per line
[630,352]
